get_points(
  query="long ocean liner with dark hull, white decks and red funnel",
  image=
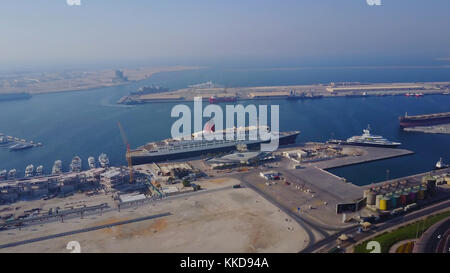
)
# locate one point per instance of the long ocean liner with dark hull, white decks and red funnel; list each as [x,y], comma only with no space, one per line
[171,149]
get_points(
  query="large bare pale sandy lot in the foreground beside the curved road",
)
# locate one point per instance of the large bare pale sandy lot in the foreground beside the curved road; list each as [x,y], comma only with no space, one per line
[228,220]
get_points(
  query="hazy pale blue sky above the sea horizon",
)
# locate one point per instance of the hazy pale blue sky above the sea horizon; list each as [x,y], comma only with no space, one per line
[202,32]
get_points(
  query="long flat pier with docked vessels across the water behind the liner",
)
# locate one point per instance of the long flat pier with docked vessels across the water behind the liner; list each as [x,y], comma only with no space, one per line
[293,92]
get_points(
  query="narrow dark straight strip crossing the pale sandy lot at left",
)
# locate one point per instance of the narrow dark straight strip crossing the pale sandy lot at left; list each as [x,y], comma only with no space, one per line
[63,234]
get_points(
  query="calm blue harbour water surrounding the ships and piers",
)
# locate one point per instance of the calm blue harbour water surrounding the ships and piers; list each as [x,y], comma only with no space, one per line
[85,123]
